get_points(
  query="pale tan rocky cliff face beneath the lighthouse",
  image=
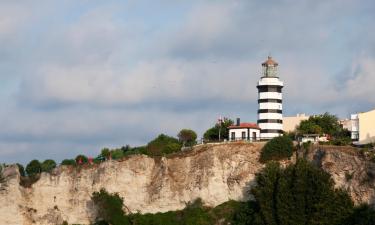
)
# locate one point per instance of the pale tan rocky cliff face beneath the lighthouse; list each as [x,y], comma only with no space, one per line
[215,173]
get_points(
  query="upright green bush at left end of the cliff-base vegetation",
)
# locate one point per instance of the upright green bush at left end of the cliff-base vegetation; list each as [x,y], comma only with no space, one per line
[109,207]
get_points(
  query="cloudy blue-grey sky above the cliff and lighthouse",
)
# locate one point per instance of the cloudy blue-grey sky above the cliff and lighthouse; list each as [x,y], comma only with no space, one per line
[80,75]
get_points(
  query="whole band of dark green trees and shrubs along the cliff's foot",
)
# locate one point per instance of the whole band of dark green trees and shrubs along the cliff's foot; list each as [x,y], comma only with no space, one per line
[298,194]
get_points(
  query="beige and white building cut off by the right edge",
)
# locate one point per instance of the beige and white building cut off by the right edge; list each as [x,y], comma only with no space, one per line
[363,127]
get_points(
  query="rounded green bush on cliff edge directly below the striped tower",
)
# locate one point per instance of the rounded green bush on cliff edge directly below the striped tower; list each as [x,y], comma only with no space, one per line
[276,149]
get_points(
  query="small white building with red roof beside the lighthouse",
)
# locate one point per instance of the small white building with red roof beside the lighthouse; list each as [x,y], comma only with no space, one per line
[244,131]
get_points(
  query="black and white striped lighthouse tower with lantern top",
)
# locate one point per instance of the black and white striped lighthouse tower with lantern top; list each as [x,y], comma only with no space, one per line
[270,114]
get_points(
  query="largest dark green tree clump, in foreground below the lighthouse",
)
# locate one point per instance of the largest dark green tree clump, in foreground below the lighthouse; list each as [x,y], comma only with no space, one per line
[299,194]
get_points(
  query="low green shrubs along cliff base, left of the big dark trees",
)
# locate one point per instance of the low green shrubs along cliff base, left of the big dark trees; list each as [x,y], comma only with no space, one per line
[109,212]
